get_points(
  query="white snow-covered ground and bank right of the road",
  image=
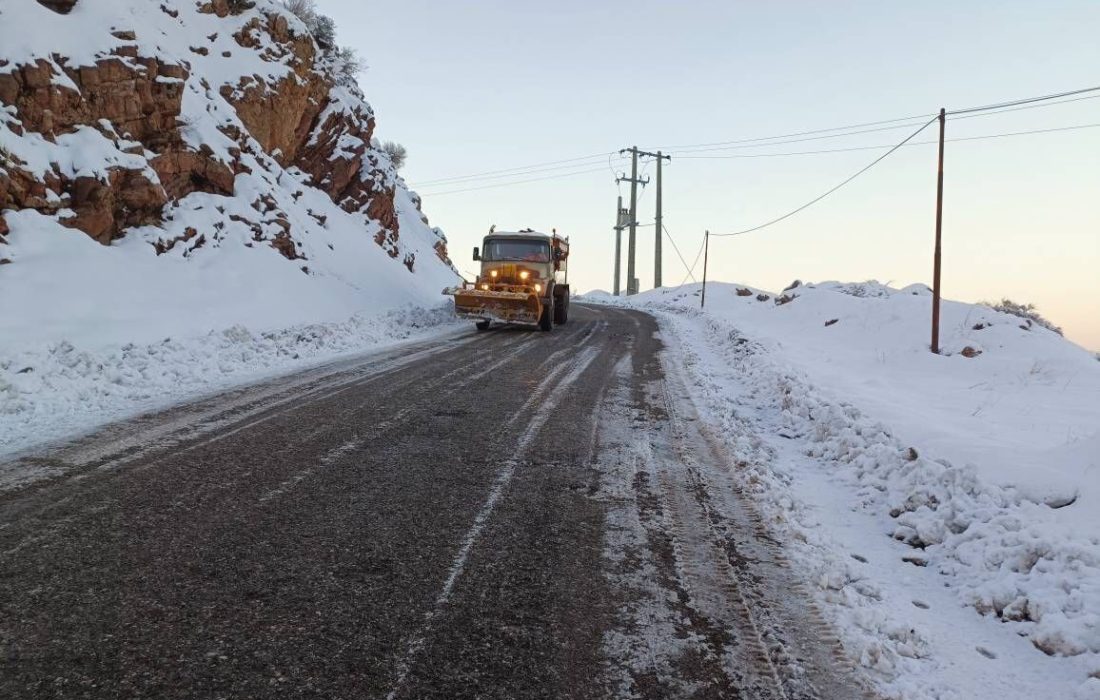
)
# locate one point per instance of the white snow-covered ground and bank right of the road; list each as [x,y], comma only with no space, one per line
[947,507]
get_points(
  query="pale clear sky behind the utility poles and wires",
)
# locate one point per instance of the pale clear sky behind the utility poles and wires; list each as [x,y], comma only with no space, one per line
[471,87]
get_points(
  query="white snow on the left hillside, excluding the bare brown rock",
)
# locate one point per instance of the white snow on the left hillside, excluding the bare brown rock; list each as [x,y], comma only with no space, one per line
[92,334]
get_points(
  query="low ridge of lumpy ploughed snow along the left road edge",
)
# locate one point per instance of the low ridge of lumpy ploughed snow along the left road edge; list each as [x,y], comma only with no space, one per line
[57,390]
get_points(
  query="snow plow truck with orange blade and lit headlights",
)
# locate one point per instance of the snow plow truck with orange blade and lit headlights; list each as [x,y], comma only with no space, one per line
[524,280]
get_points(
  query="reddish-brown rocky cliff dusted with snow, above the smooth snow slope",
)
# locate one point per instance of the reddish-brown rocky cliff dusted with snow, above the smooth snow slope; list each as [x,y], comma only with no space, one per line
[193,126]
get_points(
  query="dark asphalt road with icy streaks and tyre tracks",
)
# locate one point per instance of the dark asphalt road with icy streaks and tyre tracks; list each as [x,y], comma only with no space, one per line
[509,515]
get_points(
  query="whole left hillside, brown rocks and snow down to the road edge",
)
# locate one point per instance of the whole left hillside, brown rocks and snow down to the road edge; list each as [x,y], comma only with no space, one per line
[190,174]
